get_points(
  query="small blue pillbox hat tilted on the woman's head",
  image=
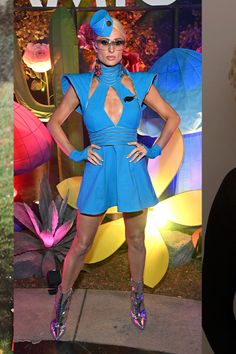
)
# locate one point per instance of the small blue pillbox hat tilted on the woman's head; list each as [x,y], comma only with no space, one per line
[101,23]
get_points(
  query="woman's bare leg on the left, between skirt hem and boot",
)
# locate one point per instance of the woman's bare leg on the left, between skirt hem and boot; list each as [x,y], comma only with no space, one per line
[86,228]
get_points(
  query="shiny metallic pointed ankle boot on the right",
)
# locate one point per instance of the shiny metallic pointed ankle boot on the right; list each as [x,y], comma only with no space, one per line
[138,312]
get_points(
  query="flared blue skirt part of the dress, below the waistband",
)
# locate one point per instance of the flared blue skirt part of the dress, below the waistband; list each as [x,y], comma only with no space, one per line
[117,182]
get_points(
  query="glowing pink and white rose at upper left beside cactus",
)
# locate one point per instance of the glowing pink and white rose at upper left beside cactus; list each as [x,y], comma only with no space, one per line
[37,57]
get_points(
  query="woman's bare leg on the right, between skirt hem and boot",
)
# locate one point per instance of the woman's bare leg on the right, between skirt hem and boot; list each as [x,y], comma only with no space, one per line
[135,223]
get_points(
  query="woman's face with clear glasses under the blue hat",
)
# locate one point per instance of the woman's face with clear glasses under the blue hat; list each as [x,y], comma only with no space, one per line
[110,54]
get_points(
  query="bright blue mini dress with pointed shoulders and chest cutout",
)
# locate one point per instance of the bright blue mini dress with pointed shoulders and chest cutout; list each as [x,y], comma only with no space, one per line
[117,182]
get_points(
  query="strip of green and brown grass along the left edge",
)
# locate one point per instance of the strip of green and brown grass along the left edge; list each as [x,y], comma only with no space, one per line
[6,212]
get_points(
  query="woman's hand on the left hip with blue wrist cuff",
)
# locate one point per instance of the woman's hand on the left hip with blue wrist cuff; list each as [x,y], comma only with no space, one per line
[87,154]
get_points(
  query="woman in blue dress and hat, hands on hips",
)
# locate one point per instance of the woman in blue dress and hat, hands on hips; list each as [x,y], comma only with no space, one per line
[111,100]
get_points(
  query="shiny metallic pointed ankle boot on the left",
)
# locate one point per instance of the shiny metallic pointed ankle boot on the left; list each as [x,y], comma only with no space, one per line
[60,312]
